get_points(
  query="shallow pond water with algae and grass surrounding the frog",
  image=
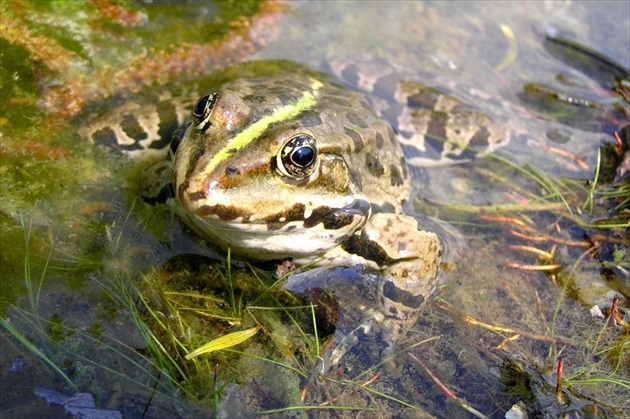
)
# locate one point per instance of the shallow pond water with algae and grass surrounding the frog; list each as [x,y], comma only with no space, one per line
[87,268]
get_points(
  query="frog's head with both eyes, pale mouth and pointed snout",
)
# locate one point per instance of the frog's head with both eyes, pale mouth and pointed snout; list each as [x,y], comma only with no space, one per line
[259,169]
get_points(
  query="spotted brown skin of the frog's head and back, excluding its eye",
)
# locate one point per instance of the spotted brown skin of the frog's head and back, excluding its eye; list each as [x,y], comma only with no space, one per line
[205,160]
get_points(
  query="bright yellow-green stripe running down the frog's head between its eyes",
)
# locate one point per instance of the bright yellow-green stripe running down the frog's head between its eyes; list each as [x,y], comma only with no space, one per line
[248,135]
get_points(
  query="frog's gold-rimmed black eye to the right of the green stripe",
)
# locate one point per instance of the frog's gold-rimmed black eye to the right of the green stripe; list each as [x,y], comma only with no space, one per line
[298,157]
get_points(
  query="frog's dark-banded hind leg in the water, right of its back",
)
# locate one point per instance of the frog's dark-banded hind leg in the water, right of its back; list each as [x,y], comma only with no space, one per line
[435,128]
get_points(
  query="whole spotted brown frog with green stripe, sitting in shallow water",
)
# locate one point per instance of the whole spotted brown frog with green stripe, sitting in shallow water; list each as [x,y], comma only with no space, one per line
[297,166]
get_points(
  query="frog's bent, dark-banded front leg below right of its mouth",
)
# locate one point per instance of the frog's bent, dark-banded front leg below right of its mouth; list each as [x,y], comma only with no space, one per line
[409,258]
